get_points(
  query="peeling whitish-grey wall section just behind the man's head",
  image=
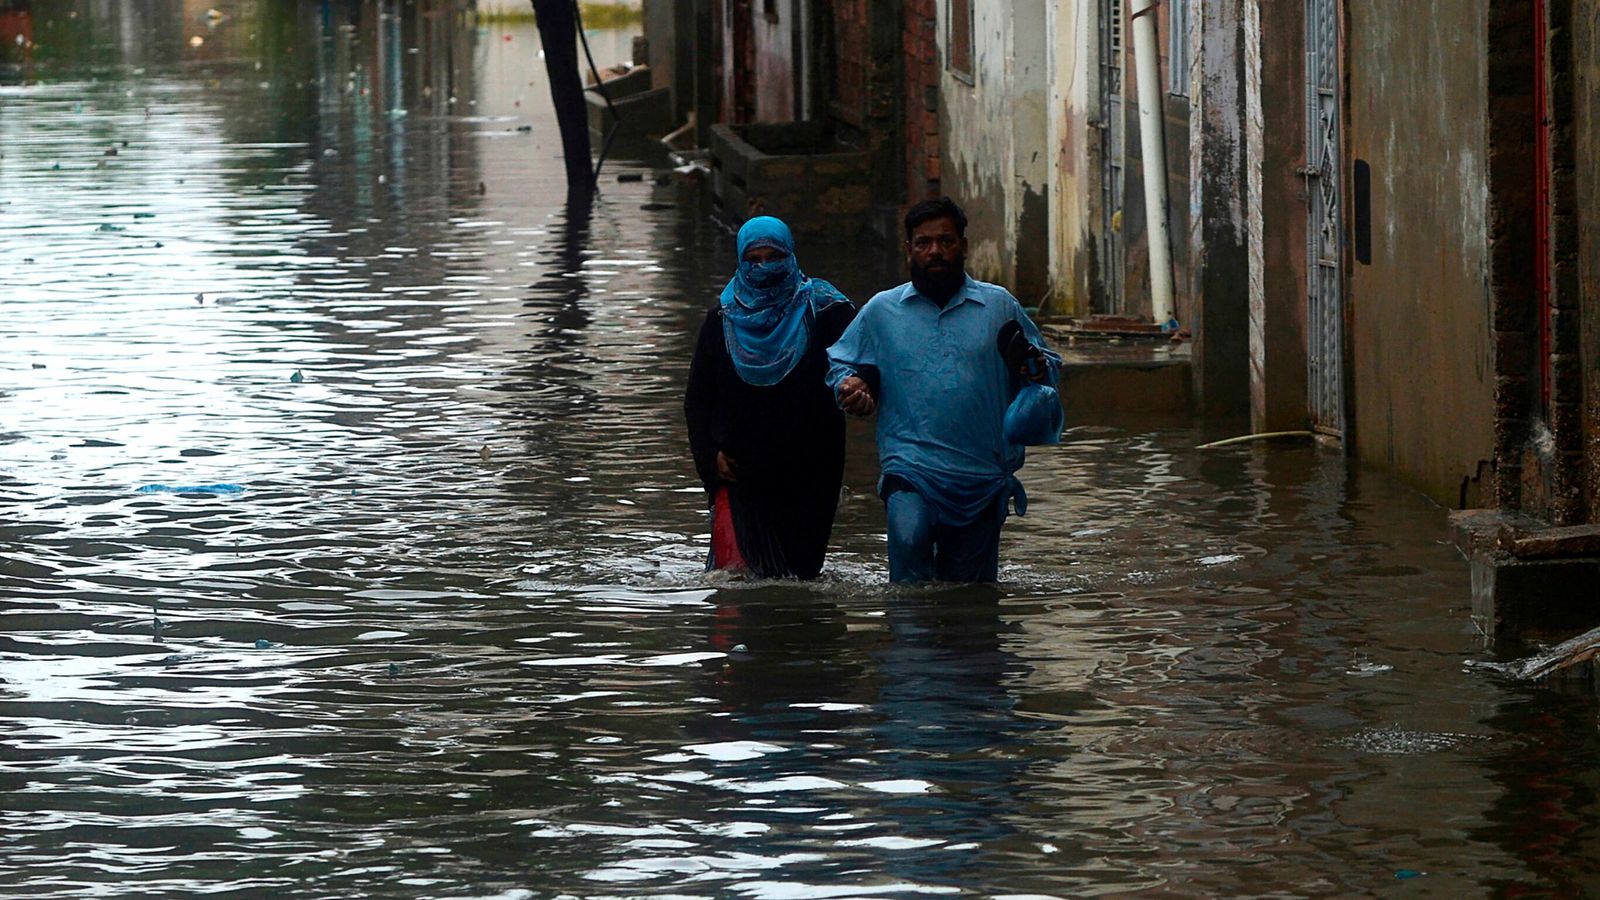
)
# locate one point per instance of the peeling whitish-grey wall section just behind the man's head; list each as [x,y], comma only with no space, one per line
[994,145]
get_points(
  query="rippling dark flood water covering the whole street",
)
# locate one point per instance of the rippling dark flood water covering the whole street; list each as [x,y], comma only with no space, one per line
[452,637]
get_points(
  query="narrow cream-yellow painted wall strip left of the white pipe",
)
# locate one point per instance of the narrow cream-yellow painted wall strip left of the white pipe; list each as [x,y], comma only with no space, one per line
[1076,155]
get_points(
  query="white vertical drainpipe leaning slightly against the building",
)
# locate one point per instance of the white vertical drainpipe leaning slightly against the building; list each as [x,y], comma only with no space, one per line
[1153,143]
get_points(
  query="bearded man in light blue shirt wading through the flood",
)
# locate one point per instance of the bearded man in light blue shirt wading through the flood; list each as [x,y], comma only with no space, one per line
[940,364]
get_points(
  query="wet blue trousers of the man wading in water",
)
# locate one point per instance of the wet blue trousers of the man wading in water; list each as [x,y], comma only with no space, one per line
[922,550]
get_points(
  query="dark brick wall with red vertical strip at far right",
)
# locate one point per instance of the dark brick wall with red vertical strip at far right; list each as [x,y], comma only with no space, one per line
[1538,340]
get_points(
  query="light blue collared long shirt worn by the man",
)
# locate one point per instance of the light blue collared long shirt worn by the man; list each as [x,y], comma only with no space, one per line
[943,393]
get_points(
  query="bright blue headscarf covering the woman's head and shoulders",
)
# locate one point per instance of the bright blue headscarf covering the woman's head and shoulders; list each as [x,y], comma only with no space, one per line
[767,308]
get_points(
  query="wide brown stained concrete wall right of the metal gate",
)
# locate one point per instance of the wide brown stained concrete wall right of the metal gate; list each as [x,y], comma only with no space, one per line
[1420,315]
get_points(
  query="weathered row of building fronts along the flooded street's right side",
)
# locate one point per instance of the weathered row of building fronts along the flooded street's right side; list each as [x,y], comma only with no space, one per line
[1382,222]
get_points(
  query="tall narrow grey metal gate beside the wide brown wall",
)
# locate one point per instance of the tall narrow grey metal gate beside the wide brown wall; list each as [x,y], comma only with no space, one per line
[1326,223]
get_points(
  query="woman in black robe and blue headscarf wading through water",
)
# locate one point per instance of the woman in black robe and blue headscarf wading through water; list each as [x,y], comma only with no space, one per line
[767,436]
